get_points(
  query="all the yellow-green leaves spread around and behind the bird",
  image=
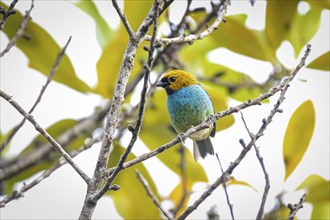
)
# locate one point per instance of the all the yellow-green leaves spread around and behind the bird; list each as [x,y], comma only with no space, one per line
[221,83]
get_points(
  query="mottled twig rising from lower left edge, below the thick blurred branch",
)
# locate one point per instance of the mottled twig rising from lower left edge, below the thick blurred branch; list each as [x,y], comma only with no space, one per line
[19,193]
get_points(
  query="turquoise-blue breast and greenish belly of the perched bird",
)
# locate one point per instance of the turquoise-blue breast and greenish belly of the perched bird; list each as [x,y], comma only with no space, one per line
[189,107]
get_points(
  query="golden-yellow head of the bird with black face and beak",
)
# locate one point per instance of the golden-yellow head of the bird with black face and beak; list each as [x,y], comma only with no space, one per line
[175,80]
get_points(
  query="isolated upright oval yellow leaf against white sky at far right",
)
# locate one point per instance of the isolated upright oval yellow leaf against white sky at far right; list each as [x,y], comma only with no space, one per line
[298,135]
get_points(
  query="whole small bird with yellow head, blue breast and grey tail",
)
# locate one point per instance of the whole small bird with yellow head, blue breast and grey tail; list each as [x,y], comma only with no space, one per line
[188,105]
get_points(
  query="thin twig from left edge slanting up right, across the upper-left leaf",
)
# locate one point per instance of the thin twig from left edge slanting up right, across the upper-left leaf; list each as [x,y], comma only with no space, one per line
[43,89]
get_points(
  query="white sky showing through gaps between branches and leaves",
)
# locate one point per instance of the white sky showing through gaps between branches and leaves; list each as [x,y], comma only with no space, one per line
[62,195]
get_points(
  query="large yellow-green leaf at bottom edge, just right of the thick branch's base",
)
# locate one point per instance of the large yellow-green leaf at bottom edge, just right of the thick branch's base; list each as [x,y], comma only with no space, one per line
[131,201]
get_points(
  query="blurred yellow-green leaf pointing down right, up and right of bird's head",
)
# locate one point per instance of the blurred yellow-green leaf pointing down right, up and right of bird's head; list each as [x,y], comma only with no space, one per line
[234,35]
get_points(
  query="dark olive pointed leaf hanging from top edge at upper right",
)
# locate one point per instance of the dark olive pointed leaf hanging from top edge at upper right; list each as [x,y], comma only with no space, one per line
[279,21]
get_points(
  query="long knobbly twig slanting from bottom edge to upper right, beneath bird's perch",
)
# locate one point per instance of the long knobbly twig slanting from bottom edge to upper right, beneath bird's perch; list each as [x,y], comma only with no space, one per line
[265,123]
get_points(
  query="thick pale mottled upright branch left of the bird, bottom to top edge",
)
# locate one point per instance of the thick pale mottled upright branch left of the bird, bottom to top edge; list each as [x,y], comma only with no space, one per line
[96,187]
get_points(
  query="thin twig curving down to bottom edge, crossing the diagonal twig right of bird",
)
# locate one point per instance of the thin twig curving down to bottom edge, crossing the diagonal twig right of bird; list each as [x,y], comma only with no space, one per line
[262,164]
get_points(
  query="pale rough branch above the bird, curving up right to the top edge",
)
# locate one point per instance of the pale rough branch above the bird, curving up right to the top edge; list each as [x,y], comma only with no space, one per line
[192,37]
